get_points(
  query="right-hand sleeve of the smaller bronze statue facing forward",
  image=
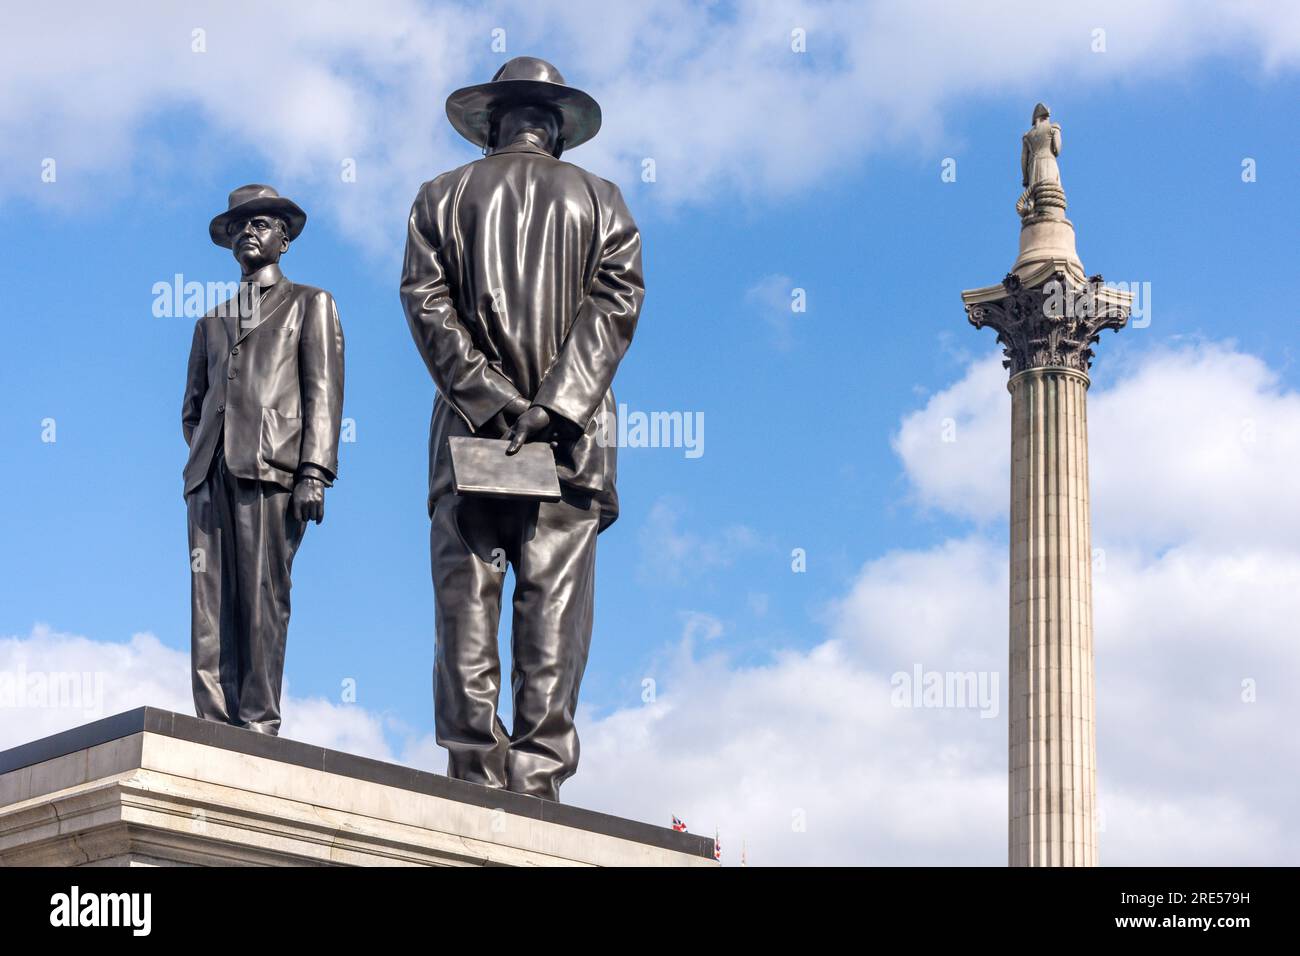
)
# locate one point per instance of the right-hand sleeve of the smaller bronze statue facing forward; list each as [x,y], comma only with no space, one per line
[320,379]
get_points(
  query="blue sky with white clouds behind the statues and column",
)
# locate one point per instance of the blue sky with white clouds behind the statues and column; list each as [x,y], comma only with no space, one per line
[831,183]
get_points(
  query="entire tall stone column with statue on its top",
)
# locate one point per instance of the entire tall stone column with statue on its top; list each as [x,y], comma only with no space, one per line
[1047,317]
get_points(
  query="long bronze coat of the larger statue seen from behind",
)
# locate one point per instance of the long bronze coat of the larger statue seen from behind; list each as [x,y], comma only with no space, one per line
[523,278]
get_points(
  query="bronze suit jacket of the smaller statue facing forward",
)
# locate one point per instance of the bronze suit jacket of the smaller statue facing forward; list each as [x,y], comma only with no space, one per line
[274,395]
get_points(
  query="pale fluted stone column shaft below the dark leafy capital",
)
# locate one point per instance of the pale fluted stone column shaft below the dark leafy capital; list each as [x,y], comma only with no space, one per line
[1052,791]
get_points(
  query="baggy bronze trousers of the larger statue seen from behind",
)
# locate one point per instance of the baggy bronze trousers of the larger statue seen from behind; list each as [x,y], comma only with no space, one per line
[552,550]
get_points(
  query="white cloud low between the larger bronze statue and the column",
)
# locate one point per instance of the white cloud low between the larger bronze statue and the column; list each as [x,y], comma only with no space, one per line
[813,739]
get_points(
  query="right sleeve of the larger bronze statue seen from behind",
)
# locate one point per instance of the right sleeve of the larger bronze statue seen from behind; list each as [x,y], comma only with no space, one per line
[601,334]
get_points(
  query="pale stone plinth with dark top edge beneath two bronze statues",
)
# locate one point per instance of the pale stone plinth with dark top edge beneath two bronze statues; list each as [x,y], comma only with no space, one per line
[150,788]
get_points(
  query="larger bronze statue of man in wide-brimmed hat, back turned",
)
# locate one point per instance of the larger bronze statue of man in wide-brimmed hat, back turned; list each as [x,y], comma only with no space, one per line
[522,287]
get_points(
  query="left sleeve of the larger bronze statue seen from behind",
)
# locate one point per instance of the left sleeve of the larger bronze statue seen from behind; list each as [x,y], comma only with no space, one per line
[461,371]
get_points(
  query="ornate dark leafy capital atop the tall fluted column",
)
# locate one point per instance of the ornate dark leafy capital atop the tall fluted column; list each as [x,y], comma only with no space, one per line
[1048,323]
